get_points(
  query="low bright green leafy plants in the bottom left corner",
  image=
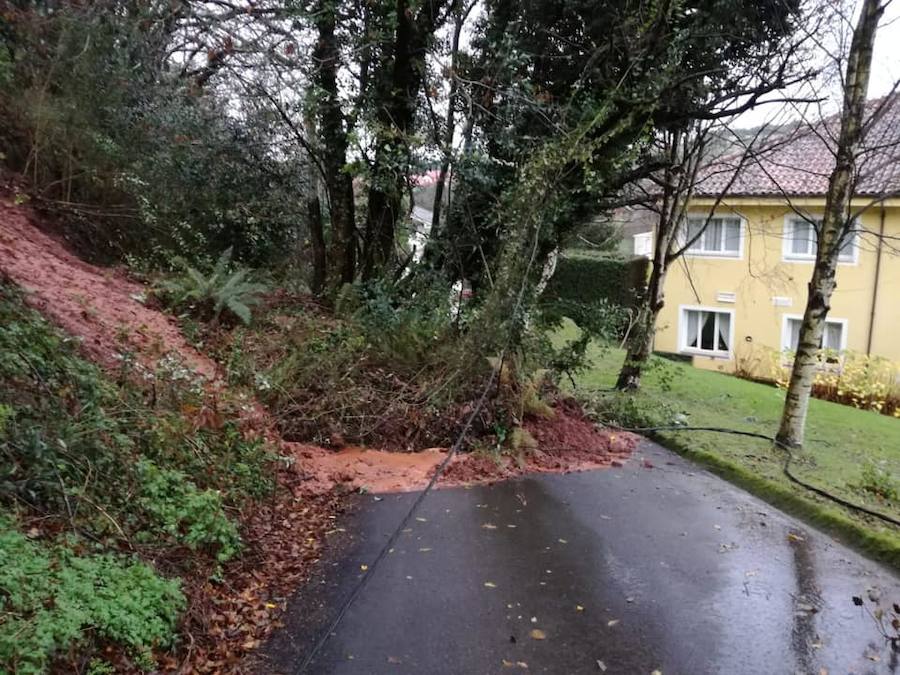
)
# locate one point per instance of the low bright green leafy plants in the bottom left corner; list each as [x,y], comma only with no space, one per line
[52,599]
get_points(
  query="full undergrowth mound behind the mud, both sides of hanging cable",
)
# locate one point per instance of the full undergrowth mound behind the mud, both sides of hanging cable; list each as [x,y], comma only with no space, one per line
[388,366]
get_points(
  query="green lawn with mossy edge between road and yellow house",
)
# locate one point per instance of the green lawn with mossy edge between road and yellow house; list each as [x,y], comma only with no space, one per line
[840,441]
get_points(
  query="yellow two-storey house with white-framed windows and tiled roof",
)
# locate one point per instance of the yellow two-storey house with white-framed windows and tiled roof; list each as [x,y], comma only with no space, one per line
[734,300]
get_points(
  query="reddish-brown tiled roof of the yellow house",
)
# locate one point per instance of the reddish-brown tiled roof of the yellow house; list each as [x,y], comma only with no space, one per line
[799,161]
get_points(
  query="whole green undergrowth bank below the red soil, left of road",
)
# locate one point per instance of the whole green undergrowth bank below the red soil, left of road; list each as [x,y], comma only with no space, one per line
[110,490]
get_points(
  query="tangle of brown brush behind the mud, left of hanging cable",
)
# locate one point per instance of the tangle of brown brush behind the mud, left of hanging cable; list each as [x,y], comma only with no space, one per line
[379,370]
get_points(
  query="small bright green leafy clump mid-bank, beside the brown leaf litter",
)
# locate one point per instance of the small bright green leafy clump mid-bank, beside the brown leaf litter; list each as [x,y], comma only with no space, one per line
[190,516]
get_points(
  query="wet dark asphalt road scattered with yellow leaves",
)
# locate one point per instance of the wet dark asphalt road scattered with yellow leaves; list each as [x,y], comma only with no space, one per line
[630,570]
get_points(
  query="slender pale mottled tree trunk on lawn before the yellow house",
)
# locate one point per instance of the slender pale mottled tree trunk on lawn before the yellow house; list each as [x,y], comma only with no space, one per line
[835,225]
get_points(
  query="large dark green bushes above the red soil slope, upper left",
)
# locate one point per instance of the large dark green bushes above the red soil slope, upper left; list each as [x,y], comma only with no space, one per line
[140,164]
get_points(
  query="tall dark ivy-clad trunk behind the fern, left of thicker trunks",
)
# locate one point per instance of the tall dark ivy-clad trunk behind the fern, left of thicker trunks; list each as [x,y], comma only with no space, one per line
[338,182]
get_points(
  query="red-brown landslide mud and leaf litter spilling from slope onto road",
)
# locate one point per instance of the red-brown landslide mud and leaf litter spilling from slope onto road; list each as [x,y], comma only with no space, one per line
[227,621]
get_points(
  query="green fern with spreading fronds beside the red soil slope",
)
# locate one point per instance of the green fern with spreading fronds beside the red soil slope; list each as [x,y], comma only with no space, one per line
[224,290]
